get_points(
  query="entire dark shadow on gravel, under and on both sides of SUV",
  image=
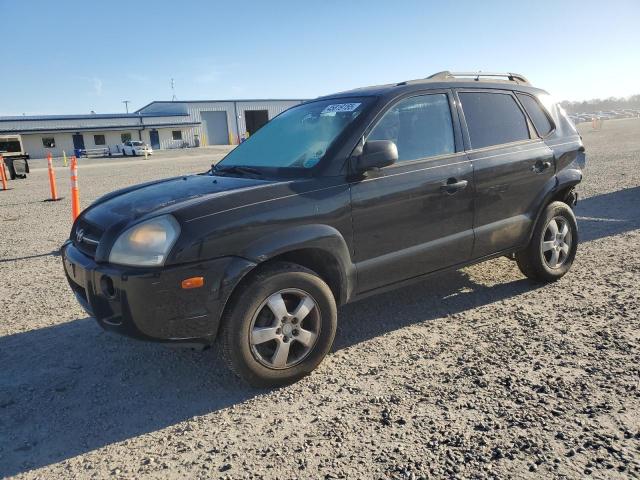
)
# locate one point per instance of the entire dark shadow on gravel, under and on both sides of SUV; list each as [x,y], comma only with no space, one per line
[72,388]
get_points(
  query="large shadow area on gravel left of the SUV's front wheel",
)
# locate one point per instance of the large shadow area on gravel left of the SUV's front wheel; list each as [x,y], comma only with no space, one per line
[72,388]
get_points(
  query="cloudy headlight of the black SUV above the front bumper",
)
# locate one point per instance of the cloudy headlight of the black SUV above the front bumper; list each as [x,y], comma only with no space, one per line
[146,244]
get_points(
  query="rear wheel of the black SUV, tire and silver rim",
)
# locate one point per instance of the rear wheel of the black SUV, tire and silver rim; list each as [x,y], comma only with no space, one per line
[552,249]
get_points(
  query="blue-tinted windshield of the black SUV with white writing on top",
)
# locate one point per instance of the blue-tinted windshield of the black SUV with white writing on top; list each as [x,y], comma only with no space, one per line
[297,138]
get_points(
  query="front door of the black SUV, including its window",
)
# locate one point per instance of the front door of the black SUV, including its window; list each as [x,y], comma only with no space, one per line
[416,216]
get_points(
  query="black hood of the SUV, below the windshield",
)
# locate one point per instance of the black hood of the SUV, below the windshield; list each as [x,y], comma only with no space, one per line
[164,196]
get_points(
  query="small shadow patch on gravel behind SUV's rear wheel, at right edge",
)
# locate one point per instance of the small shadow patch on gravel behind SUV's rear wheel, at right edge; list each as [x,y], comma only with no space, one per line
[609,214]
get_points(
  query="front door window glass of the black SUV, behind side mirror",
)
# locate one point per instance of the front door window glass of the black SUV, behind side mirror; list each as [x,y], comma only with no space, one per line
[419,126]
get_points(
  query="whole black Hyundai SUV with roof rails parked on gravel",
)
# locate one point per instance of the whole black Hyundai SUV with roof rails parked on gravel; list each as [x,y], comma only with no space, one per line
[332,200]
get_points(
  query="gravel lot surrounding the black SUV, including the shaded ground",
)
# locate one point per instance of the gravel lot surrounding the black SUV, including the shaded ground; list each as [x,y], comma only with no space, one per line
[475,374]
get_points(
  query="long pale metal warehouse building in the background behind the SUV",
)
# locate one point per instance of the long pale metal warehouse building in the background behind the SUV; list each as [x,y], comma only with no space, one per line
[161,124]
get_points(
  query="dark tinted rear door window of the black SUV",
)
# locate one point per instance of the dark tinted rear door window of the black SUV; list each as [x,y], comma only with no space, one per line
[493,118]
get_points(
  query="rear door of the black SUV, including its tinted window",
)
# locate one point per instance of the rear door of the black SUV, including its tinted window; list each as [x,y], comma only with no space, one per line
[512,166]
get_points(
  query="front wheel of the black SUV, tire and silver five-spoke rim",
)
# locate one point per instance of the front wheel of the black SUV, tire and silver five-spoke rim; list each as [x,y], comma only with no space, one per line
[255,341]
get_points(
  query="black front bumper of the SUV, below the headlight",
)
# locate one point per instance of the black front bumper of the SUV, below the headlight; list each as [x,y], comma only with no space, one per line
[150,303]
